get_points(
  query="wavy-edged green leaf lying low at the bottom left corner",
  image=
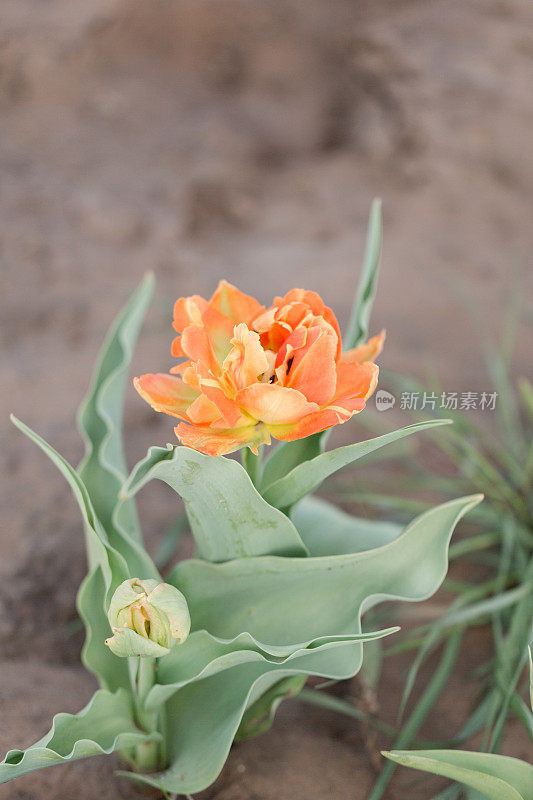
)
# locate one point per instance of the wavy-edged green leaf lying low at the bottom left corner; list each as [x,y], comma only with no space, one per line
[103,726]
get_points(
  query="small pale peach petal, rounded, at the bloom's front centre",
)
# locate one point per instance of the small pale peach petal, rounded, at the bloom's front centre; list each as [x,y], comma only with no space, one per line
[273,404]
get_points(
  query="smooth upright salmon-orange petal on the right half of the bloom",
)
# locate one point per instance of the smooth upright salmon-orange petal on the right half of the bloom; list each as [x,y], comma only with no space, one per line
[313,371]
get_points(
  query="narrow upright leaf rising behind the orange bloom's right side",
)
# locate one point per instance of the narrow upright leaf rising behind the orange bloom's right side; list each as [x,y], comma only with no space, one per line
[358,325]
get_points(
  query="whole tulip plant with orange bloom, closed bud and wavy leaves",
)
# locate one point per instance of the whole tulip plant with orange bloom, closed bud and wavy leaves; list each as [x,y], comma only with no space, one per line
[189,661]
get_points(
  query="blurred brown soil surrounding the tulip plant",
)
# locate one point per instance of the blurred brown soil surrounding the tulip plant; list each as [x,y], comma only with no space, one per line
[245,140]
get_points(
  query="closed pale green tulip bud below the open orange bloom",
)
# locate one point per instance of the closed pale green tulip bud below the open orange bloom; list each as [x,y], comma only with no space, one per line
[147,618]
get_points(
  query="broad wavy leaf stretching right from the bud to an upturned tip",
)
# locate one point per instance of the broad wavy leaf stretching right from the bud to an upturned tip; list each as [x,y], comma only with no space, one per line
[287,600]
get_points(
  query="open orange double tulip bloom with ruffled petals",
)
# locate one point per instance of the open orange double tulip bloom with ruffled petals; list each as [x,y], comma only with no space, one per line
[251,373]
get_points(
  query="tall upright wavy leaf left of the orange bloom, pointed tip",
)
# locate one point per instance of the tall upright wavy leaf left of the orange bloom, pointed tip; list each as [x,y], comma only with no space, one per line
[103,469]
